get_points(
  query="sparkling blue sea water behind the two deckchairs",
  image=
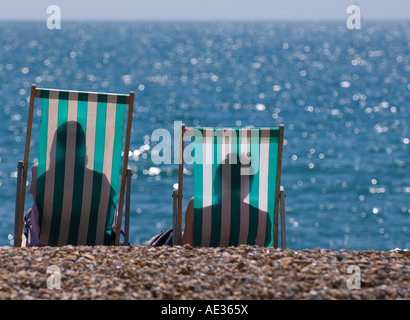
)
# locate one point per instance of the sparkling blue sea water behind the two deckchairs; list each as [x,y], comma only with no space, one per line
[342,94]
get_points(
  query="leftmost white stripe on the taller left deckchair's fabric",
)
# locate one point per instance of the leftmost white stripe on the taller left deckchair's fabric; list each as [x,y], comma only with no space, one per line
[50,166]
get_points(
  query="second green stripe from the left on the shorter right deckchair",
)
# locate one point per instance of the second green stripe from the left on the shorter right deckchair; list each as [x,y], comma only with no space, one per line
[216,189]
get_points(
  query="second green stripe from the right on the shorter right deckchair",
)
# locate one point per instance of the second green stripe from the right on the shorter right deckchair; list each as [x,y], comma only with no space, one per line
[254,187]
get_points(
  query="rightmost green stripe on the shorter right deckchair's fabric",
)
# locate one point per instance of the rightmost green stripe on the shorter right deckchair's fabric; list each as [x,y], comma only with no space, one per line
[273,169]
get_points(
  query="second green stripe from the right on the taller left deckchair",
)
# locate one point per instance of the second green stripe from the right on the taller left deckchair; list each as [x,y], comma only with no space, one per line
[98,167]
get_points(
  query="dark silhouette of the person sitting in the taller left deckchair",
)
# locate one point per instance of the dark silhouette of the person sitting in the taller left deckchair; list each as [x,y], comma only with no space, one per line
[68,196]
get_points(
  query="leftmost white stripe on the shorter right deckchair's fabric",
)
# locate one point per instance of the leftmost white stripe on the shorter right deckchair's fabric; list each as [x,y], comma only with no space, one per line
[207,187]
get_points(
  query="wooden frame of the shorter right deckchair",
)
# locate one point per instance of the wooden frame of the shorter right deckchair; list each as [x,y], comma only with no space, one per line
[280,194]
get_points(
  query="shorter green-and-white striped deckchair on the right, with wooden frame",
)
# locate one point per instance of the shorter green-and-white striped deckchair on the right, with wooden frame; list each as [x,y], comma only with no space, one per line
[236,187]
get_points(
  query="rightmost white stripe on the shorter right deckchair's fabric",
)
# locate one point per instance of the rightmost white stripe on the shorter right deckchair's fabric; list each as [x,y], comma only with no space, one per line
[263,186]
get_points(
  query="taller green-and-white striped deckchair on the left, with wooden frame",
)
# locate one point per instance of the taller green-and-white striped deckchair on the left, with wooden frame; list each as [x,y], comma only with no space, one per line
[81,137]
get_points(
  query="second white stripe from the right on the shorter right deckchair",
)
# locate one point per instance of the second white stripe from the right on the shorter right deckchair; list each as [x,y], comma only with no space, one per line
[244,151]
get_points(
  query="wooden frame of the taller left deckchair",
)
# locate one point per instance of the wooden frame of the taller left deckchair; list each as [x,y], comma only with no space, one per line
[23,168]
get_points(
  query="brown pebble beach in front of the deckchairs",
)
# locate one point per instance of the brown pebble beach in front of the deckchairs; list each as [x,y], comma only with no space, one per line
[184,272]
